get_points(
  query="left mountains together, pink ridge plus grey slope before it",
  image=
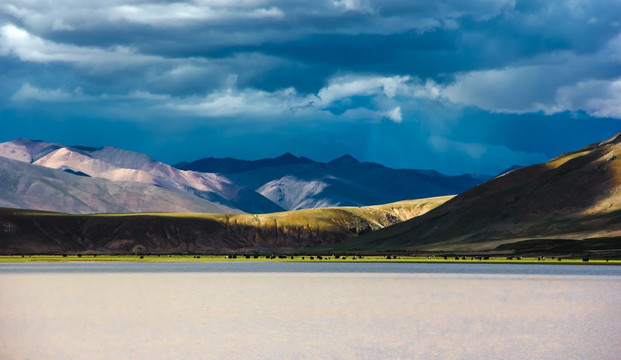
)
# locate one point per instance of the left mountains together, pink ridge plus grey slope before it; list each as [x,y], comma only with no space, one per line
[119,167]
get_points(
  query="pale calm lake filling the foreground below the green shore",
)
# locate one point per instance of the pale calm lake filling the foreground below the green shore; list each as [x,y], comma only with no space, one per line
[263,310]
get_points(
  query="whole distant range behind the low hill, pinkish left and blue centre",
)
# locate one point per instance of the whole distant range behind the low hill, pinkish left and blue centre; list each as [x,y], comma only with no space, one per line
[77,179]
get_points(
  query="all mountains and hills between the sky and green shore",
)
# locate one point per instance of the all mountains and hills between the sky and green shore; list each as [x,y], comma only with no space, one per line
[72,199]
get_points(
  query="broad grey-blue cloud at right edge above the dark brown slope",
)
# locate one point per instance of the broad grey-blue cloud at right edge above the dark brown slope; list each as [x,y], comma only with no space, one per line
[553,83]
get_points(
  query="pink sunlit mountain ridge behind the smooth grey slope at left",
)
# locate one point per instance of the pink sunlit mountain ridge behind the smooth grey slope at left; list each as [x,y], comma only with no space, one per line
[120,165]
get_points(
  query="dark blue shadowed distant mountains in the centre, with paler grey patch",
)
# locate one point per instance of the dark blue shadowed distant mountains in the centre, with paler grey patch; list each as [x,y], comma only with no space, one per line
[299,183]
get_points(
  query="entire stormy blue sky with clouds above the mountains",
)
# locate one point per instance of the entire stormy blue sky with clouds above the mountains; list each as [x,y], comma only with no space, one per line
[457,86]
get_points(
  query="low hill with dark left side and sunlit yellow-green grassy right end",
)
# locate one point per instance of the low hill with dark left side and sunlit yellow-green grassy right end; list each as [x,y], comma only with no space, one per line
[36,232]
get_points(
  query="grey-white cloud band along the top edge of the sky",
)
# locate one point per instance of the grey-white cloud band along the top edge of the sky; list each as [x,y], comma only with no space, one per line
[273,19]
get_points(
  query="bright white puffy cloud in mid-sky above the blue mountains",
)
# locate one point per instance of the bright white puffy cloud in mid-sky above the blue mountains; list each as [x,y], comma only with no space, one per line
[339,97]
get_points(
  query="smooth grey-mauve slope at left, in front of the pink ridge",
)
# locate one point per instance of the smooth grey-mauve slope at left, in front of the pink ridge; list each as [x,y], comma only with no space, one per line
[29,186]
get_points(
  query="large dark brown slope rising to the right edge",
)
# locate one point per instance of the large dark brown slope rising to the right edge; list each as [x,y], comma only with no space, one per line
[572,197]
